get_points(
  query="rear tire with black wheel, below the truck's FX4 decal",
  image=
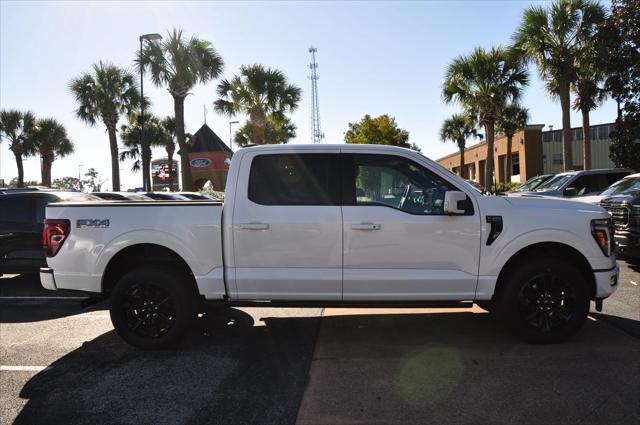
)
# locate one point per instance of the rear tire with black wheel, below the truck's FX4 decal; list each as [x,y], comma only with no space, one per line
[151,307]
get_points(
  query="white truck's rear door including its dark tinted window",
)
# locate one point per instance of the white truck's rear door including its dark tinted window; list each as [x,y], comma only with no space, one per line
[287,227]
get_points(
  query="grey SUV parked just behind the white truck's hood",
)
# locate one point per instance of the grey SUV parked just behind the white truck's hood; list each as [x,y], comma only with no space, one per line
[578,183]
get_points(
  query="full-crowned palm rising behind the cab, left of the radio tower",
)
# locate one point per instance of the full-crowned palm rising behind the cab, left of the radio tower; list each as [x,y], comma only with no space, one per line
[260,92]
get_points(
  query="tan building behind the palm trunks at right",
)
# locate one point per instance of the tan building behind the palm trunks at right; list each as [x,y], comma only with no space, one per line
[534,152]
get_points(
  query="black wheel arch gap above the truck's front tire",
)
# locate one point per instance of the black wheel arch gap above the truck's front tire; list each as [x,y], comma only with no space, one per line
[548,249]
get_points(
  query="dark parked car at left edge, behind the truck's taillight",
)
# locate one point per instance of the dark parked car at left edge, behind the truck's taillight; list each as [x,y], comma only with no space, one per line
[21,225]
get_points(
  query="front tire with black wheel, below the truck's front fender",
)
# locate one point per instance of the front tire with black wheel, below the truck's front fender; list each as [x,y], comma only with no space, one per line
[544,300]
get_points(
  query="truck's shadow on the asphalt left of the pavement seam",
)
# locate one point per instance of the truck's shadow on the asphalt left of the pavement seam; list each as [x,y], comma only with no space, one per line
[226,371]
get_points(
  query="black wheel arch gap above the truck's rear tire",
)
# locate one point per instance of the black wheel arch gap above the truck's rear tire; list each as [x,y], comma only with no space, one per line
[144,254]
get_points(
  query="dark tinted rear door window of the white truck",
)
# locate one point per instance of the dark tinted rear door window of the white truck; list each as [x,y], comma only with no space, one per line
[288,179]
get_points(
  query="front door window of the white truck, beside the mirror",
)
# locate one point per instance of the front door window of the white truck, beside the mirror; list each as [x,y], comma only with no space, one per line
[394,182]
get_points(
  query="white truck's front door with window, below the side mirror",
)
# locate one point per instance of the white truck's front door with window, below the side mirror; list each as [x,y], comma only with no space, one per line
[398,243]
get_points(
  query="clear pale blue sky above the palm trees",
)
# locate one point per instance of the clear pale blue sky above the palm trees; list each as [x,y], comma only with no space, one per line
[373,58]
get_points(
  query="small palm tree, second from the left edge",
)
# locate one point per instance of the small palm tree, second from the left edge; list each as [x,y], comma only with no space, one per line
[50,140]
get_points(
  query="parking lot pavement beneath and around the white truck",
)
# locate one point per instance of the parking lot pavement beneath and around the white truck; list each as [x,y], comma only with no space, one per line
[62,364]
